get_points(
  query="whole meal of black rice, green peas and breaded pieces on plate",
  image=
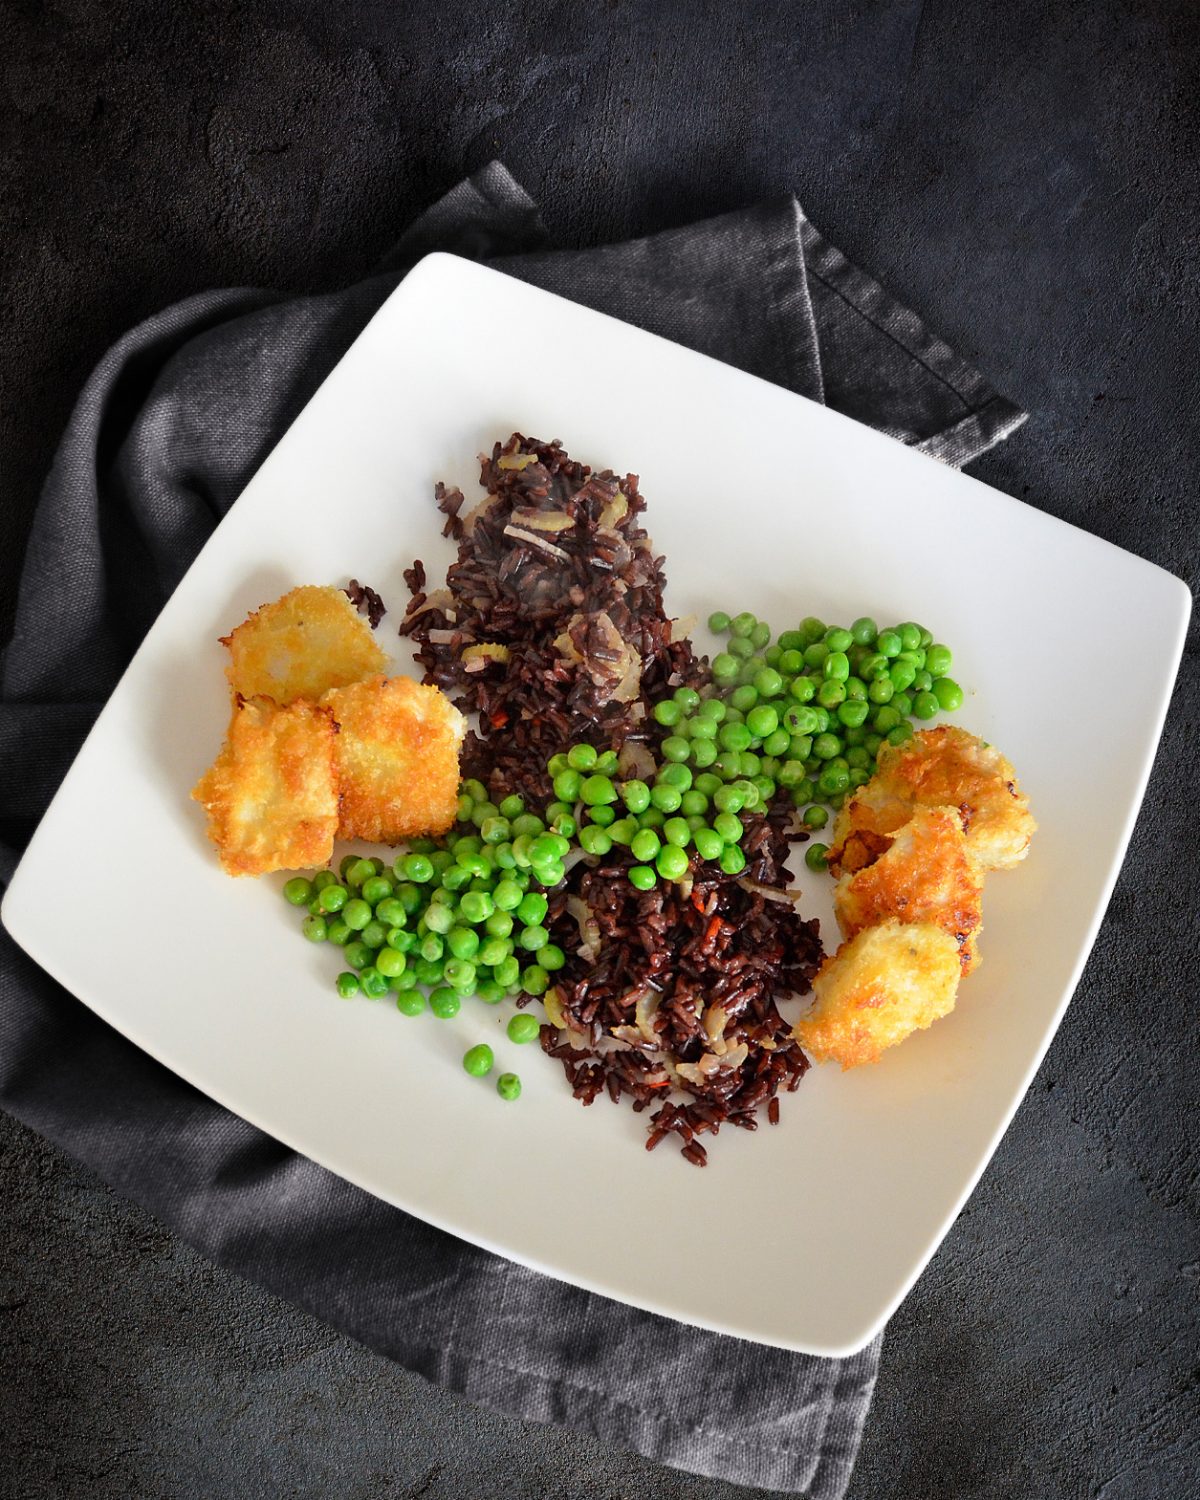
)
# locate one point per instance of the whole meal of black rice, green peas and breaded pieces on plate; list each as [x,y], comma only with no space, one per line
[610,836]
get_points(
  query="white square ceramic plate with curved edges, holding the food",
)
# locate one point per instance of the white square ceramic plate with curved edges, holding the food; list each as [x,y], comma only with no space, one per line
[760,500]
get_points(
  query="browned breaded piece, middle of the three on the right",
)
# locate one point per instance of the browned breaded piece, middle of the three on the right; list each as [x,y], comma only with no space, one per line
[926,875]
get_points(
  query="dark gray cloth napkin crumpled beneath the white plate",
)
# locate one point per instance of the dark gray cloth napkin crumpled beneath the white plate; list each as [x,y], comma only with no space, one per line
[170,427]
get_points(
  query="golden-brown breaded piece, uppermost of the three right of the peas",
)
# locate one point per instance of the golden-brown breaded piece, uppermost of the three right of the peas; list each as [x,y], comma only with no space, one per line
[943,767]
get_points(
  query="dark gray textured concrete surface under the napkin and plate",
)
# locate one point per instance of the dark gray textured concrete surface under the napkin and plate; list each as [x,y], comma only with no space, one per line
[1024,175]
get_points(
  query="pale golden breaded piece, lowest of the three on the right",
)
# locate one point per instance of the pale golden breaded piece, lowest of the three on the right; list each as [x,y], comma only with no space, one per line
[877,991]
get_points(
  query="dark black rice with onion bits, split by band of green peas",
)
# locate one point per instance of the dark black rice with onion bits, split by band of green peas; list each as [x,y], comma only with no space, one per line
[553,631]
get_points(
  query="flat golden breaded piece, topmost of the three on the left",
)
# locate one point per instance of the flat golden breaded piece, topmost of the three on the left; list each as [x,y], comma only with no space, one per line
[302,646]
